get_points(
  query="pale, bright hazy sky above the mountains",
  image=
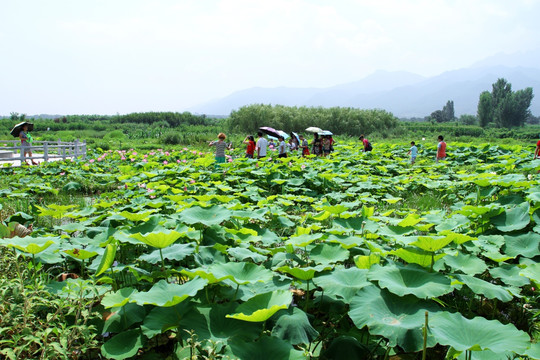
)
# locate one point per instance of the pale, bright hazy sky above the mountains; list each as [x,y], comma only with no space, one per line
[123,56]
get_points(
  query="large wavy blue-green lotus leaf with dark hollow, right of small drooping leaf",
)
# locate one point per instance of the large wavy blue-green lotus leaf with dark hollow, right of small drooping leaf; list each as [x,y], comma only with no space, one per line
[397,318]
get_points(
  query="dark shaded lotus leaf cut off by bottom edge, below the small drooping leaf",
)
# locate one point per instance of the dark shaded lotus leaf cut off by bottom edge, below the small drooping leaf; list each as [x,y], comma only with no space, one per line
[266,348]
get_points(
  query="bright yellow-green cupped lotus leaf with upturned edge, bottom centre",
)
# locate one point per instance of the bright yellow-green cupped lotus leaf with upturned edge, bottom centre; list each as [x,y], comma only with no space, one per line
[263,306]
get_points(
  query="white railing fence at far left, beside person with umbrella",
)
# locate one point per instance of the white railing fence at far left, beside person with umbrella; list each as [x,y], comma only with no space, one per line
[12,150]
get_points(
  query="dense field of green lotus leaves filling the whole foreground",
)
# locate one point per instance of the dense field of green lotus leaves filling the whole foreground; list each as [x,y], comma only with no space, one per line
[353,256]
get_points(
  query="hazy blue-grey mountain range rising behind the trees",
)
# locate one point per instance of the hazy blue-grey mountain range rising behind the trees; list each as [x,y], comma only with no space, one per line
[403,93]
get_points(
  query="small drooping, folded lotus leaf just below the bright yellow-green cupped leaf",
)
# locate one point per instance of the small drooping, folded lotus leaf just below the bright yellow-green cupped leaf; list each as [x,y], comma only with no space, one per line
[293,326]
